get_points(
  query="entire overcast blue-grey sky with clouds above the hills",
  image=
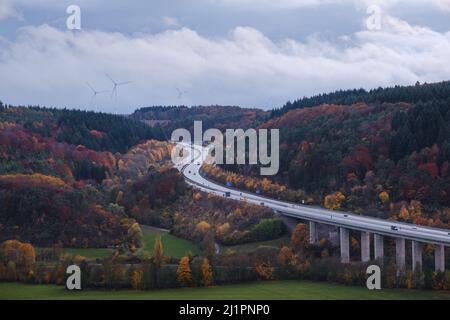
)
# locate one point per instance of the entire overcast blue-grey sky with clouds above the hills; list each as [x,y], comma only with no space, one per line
[252,53]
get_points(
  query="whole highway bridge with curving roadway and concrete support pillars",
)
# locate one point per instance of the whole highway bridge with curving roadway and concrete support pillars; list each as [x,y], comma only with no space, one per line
[380,228]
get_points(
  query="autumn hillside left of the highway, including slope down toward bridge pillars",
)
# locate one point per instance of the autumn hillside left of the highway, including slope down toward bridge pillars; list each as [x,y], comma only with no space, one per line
[63,181]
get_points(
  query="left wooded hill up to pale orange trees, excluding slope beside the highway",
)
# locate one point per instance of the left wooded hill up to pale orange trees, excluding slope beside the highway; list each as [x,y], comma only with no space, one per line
[59,170]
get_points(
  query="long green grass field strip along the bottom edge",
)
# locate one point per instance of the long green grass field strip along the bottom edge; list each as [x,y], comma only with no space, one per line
[276,290]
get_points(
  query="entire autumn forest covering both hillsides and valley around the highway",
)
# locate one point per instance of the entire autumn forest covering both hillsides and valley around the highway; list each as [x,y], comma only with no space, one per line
[72,179]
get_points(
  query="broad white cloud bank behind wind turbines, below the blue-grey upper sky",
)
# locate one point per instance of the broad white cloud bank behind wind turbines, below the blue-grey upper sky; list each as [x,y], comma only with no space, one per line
[48,66]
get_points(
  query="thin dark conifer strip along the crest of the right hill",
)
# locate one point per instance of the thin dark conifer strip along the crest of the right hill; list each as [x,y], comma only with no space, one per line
[410,94]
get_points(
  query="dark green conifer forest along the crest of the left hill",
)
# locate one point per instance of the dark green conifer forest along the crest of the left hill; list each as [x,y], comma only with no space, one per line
[96,131]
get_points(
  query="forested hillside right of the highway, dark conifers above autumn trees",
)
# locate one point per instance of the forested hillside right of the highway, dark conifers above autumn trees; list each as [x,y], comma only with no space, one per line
[386,159]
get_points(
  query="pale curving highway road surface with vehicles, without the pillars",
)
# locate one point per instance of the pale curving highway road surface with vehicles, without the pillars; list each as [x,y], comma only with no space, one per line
[191,172]
